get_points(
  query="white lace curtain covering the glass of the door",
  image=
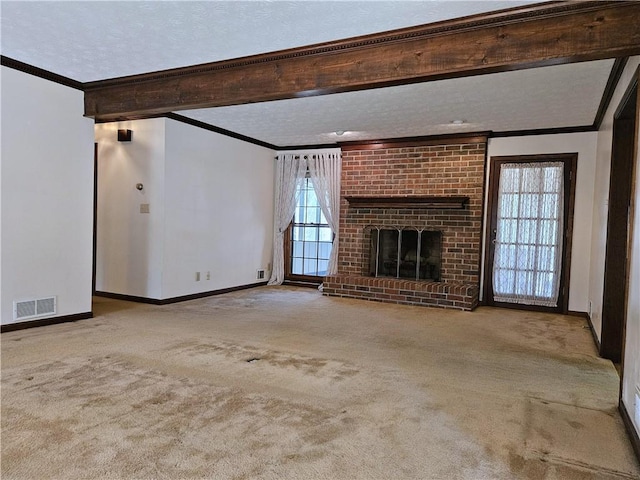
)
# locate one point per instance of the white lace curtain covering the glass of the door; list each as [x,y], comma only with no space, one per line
[528,247]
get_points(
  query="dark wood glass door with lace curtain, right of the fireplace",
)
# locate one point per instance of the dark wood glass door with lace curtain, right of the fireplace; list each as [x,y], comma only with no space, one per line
[529,230]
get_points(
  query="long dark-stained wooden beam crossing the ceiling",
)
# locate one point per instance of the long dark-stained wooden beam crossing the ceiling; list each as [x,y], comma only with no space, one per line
[545,34]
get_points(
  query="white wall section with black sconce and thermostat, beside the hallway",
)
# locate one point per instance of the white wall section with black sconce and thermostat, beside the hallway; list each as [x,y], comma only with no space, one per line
[129,243]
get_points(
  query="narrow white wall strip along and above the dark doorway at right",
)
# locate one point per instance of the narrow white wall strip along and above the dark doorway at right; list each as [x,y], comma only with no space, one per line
[601,197]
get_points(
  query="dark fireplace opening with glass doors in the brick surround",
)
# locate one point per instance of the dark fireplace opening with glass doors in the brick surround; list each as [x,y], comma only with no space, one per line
[405,253]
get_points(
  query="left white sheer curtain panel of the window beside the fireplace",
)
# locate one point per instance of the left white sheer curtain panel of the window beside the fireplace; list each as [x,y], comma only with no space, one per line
[290,170]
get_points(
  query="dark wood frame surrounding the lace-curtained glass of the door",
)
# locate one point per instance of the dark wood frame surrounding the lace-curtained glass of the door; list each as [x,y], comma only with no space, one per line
[570,161]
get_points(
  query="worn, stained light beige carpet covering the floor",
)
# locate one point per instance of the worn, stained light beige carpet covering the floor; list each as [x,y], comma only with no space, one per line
[282,383]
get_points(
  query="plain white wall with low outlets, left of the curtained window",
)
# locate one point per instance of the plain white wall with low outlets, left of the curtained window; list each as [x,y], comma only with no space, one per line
[219,210]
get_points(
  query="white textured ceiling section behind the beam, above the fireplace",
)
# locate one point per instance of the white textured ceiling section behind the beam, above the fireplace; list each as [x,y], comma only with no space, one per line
[549,97]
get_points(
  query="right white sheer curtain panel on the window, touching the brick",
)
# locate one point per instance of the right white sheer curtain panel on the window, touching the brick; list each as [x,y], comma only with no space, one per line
[324,170]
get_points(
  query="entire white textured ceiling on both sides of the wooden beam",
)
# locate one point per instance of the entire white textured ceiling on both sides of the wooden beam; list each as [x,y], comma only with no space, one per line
[94,40]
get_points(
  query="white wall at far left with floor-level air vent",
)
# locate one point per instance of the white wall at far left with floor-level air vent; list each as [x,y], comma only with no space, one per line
[47,195]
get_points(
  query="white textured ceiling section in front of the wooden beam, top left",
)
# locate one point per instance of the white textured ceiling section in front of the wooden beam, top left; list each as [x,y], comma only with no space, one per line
[95,40]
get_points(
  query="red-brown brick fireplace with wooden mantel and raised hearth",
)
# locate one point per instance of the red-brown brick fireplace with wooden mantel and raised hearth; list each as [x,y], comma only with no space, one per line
[427,186]
